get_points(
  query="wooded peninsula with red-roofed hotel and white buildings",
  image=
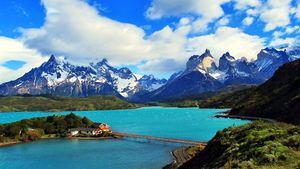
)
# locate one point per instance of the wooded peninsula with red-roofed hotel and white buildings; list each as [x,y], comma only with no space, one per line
[69,126]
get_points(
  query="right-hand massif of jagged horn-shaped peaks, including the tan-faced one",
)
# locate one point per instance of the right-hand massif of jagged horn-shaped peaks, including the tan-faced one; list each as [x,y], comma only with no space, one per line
[202,74]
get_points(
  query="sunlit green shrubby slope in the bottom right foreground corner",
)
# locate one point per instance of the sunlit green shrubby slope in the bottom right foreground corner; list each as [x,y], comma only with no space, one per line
[255,145]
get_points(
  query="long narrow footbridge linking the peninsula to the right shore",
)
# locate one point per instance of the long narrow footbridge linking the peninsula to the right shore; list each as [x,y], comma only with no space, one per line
[118,134]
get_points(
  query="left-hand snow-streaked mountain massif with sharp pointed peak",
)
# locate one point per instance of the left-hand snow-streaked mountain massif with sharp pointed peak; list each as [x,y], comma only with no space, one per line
[58,77]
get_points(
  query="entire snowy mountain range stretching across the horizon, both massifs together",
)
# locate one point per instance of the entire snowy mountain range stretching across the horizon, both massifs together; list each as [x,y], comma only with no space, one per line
[58,77]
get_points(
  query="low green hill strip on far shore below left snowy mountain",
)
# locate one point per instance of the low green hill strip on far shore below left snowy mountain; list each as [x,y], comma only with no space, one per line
[50,103]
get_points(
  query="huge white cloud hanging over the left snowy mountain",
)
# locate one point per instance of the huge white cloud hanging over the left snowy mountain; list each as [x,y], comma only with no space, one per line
[76,30]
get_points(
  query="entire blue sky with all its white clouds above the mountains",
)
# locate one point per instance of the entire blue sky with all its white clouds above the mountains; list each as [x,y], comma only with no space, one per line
[149,36]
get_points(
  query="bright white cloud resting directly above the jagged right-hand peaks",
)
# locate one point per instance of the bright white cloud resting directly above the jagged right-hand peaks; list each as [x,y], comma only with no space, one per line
[233,40]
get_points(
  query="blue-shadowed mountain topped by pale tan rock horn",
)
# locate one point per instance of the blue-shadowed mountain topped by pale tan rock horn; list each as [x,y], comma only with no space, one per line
[195,79]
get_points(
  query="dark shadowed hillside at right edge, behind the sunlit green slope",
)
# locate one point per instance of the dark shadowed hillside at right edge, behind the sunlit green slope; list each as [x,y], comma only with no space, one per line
[278,98]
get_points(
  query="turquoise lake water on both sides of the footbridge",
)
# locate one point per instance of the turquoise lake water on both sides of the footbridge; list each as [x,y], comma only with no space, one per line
[179,123]
